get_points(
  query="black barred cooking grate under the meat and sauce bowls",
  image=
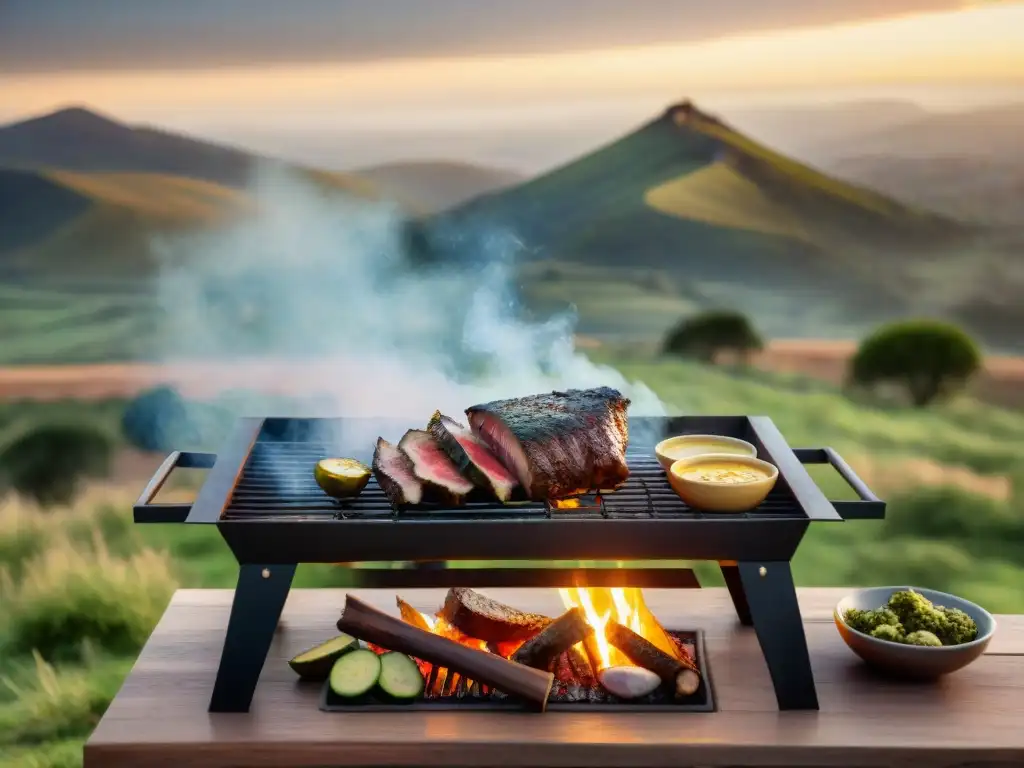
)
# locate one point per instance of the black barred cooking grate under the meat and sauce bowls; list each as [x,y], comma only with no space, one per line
[277,483]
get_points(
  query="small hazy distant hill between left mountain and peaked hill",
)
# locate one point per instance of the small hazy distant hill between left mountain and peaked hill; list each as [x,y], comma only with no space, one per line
[430,187]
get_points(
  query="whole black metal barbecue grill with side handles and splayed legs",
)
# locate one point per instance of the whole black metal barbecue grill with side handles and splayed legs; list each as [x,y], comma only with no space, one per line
[262,496]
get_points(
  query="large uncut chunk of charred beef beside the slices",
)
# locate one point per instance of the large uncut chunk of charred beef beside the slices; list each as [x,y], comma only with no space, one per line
[559,445]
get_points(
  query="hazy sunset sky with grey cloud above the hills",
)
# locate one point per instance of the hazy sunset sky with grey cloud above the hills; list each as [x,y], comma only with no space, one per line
[248,68]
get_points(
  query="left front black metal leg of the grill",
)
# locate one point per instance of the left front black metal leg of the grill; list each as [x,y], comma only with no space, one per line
[260,598]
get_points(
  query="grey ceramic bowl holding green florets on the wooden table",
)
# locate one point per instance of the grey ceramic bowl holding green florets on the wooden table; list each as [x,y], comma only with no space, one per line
[915,662]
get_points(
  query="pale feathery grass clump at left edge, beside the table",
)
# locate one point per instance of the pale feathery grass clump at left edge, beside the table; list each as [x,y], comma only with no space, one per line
[73,594]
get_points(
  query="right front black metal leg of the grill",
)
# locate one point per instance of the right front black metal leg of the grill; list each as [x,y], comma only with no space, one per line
[772,600]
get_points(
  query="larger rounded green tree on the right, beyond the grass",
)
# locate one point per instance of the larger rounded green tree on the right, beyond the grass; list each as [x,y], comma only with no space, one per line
[927,359]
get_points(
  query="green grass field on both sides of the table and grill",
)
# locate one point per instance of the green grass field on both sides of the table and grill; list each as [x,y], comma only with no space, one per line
[82,587]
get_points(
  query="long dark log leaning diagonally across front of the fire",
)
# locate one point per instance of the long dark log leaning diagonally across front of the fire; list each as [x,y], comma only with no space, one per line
[371,625]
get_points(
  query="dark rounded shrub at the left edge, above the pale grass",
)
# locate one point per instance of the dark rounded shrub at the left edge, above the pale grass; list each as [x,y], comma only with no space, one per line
[49,462]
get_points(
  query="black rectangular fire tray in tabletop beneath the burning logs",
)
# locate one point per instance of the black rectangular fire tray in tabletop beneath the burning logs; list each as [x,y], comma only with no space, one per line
[566,695]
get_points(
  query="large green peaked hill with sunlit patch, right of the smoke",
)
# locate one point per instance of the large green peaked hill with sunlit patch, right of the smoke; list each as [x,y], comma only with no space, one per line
[689,195]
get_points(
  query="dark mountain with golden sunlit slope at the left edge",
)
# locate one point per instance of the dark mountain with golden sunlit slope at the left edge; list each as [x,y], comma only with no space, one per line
[83,194]
